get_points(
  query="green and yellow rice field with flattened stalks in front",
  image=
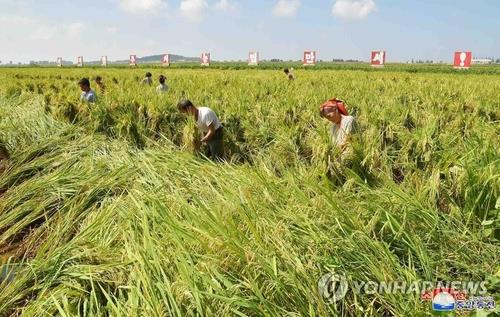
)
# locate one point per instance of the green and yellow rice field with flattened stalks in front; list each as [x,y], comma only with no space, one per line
[110,210]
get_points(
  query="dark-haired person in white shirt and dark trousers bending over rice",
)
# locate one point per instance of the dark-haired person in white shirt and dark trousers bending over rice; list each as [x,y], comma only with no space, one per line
[210,126]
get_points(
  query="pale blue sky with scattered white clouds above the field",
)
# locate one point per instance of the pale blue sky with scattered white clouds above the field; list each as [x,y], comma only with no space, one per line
[229,29]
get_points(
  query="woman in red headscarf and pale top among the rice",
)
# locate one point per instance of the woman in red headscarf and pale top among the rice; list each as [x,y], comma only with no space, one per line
[334,110]
